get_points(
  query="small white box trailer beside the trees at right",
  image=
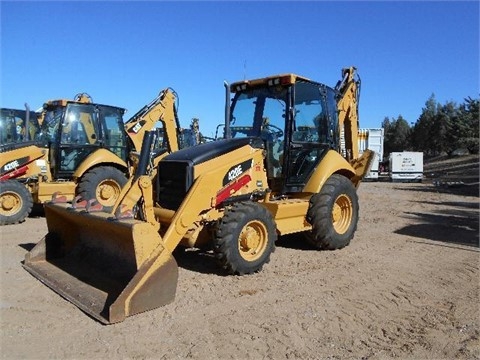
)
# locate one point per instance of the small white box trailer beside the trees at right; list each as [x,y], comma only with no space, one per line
[406,166]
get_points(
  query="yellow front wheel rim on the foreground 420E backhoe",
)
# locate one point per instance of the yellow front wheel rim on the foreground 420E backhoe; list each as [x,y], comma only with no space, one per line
[253,240]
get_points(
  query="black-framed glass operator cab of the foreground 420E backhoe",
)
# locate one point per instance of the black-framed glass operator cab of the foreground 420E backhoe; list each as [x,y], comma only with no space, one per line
[297,120]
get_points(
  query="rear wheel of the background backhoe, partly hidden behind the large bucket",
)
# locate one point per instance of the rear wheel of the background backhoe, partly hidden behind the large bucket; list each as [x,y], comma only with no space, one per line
[103,184]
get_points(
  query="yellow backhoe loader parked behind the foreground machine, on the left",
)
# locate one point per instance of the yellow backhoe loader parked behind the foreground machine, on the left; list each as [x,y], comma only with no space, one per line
[84,149]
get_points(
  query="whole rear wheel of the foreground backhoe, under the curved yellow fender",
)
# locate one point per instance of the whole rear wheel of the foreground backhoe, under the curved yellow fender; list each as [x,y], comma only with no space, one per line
[333,214]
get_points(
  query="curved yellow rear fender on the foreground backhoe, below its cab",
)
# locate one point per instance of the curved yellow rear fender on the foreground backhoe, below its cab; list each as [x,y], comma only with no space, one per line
[331,163]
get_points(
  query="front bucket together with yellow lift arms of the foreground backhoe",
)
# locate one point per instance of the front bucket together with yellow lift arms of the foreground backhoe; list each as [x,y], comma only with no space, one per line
[113,267]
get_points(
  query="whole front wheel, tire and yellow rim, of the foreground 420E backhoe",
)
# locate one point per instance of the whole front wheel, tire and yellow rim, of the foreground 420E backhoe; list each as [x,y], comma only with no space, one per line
[244,238]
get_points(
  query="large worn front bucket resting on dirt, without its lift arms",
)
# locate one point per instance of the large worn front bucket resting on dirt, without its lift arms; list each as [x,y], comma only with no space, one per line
[109,268]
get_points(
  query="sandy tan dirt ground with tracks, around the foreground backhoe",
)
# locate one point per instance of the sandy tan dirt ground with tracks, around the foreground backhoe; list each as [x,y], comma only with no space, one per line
[407,287]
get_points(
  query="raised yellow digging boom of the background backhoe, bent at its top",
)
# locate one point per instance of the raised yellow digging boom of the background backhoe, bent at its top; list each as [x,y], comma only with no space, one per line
[163,109]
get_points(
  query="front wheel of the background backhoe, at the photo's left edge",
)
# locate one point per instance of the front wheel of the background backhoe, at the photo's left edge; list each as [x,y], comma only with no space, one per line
[15,202]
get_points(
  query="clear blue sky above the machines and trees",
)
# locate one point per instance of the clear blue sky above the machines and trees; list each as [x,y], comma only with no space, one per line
[123,53]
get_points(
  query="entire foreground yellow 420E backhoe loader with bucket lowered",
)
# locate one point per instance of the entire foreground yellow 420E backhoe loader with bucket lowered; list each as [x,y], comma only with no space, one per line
[278,171]
